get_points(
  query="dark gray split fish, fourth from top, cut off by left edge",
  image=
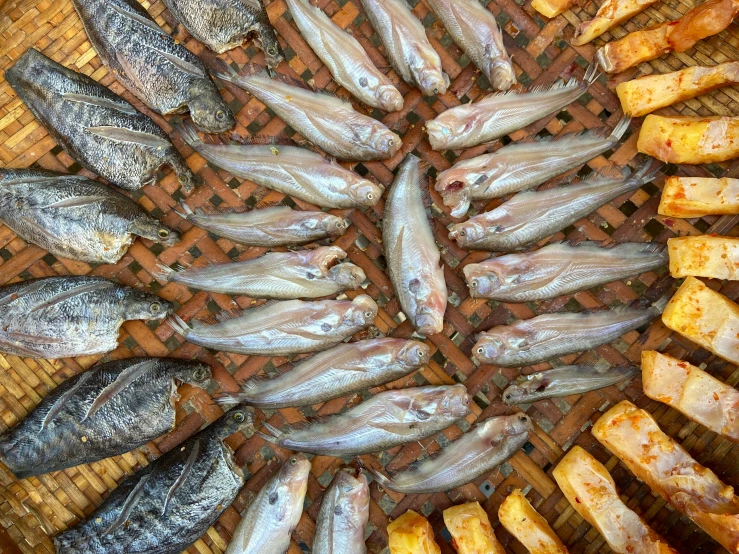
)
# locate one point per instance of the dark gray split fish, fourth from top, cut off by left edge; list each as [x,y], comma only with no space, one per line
[73,217]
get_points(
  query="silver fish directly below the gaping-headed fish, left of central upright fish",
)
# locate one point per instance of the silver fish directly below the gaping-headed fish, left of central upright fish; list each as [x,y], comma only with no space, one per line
[281,328]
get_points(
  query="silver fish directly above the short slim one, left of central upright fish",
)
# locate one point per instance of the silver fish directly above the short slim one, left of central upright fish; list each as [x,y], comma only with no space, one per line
[301,173]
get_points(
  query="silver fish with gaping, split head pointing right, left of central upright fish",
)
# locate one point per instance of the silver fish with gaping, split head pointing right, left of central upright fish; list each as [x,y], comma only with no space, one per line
[283,275]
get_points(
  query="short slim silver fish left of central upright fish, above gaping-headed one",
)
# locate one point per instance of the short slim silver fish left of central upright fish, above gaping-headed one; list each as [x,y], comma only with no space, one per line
[275,226]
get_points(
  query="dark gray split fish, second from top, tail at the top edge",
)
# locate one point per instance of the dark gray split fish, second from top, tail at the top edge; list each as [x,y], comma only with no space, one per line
[165,75]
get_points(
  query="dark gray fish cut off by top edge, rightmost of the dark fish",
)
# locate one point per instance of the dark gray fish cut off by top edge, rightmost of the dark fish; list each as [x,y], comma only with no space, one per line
[225,24]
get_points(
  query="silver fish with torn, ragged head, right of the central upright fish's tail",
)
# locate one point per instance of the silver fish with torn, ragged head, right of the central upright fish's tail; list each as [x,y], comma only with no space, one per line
[520,166]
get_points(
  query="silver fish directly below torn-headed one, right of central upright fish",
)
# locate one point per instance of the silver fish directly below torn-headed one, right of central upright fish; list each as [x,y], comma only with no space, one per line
[531,216]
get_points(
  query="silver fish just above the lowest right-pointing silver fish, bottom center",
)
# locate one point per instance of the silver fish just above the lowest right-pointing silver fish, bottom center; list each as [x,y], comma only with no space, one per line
[387,419]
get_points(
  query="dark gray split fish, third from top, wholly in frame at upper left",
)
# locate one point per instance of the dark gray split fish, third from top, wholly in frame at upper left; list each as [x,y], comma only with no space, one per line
[95,126]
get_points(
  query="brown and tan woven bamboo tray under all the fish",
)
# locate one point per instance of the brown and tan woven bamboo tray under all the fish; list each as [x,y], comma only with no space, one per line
[32,509]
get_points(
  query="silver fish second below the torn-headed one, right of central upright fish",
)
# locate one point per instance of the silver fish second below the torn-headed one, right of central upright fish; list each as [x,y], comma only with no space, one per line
[560,268]
